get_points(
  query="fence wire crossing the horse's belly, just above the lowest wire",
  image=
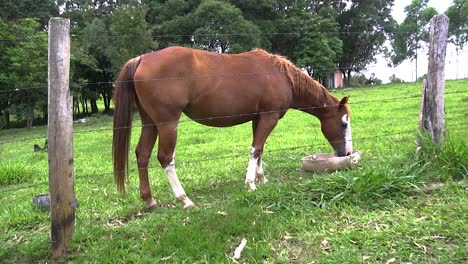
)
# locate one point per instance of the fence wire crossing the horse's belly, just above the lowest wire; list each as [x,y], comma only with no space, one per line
[392,99]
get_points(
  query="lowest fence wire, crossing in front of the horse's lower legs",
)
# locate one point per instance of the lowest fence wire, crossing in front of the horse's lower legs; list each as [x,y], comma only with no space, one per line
[228,157]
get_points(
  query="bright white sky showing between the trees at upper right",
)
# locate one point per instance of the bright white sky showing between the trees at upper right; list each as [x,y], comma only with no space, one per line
[406,70]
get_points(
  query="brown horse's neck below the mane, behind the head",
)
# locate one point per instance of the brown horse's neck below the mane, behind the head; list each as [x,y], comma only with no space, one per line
[314,99]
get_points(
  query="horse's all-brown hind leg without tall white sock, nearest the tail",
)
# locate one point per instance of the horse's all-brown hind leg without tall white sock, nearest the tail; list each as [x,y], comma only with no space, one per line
[143,154]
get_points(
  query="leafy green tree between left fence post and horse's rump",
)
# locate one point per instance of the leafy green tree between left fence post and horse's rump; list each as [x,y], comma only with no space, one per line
[104,44]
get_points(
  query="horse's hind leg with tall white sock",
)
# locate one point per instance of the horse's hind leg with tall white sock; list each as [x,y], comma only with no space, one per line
[166,157]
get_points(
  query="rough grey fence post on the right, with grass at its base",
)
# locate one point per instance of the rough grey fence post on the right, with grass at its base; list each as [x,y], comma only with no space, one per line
[432,118]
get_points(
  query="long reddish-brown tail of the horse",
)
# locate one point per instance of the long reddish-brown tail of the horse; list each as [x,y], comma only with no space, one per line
[124,99]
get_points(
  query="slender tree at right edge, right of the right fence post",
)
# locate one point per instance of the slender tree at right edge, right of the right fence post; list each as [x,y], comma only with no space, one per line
[458,25]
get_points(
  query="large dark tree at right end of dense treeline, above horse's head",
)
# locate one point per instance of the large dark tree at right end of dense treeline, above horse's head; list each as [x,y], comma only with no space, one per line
[364,27]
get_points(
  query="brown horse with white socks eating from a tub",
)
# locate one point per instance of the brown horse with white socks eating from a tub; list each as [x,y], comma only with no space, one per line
[215,90]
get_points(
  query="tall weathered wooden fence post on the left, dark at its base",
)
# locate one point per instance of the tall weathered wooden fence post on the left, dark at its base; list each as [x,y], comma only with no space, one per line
[60,137]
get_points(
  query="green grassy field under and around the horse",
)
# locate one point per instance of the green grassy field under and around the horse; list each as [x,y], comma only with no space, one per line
[401,205]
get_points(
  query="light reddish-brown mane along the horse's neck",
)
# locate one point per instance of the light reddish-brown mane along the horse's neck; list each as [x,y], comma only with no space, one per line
[301,83]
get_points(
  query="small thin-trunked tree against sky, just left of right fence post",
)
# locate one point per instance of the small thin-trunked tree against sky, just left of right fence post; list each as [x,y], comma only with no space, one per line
[412,32]
